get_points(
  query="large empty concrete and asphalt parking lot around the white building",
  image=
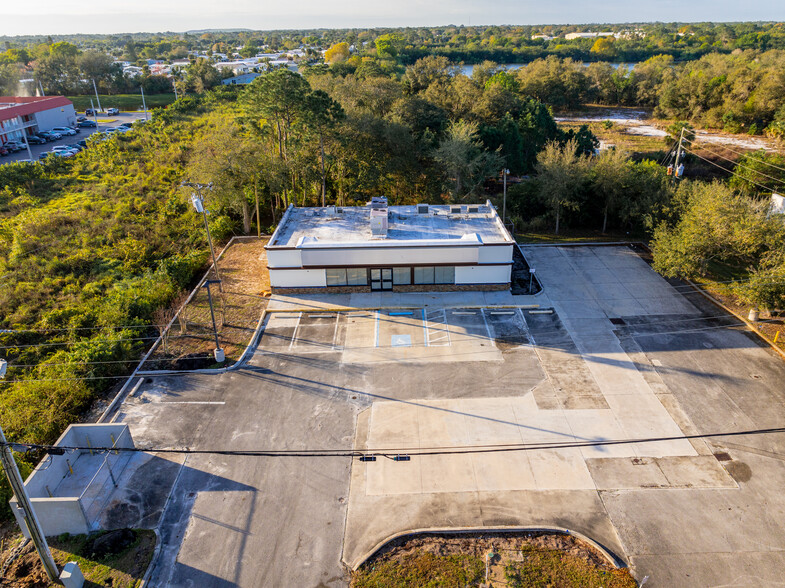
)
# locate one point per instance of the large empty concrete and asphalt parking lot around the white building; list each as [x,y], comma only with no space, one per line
[613,352]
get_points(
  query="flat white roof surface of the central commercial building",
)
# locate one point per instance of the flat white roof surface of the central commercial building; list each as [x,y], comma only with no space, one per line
[353,225]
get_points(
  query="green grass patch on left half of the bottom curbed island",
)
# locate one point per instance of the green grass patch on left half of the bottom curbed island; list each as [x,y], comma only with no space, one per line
[421,569]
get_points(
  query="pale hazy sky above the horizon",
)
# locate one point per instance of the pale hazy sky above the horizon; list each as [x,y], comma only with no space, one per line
[58,17]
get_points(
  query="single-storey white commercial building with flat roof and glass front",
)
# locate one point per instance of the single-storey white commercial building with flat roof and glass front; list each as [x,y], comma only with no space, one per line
[397,248]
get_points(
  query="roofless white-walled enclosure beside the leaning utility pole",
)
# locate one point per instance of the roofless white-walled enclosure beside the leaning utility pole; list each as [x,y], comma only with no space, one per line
[67,491]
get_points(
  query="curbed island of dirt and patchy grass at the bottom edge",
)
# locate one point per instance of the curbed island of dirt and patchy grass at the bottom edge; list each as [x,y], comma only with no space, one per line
[512,559]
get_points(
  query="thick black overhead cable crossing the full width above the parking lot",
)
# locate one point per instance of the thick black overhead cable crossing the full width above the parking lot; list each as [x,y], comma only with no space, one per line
[388,452]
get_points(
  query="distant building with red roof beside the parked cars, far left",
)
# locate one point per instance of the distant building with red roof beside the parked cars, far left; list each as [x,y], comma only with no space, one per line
[25,115]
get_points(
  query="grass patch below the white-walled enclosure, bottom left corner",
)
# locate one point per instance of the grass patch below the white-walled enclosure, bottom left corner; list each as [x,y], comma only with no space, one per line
[121,570]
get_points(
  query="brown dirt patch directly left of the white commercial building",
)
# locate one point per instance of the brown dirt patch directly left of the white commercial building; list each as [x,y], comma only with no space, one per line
[190,344]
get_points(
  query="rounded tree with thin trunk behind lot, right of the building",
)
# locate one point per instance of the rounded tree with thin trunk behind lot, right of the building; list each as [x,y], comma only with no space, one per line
[561,177]
